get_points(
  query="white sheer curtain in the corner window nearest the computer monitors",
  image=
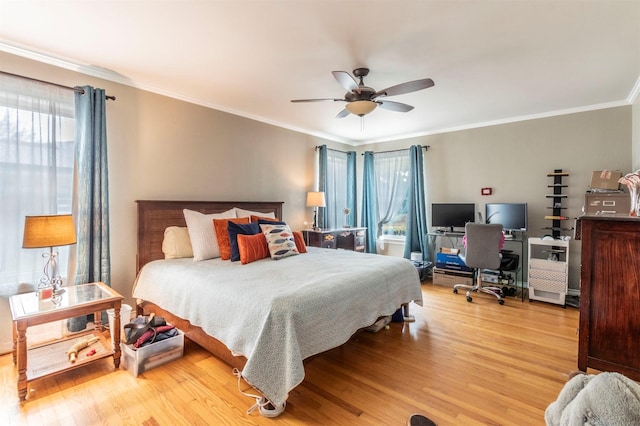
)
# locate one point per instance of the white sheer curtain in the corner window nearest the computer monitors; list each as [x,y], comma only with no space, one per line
[392,185]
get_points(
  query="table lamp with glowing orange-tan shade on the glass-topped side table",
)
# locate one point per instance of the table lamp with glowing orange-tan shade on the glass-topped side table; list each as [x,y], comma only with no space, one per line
[49,231]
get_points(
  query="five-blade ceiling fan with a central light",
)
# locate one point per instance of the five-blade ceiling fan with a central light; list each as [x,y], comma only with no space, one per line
[361,99]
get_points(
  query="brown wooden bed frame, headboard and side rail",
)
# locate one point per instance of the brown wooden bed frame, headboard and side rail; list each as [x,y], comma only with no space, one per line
[153,218]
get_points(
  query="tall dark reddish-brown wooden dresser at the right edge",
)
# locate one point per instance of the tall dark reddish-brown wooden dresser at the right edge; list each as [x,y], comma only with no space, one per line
[609,337]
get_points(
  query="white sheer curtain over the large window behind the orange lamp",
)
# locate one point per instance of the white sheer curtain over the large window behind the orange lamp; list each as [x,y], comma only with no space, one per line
[37,131]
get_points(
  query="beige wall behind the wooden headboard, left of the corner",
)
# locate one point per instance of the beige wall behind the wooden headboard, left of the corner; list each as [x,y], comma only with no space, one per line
[162,148]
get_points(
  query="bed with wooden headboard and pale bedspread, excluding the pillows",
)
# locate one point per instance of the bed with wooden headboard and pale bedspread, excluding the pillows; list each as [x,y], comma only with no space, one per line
[265,318]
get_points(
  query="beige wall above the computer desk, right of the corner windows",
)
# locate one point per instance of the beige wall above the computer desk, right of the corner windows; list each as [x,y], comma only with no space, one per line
[514,159]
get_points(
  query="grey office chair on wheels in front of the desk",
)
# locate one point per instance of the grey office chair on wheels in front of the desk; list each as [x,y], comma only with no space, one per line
[483,252]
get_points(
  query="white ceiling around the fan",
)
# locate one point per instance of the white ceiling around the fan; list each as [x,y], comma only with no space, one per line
[492,61]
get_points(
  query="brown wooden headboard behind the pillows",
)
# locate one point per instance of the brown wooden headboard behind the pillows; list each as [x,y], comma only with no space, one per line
[155,216]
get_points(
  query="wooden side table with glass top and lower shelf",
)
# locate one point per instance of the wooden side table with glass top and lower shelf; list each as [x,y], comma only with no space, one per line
[51,358]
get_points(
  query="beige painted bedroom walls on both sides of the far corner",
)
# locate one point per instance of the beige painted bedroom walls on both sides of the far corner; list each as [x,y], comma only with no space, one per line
[162,148]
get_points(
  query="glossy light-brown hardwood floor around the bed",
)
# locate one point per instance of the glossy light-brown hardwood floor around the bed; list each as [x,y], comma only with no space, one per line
[460,364]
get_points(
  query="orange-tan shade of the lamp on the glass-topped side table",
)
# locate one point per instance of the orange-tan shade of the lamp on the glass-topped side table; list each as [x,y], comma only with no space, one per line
[48,231]
